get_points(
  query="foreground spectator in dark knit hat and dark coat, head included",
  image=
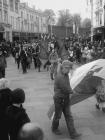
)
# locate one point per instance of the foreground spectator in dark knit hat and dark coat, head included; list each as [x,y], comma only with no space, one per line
[16,114]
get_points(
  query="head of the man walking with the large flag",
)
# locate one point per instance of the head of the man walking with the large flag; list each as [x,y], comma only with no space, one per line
[66,66]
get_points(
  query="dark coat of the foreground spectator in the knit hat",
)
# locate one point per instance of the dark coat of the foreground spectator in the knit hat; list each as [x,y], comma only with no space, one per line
[17,117]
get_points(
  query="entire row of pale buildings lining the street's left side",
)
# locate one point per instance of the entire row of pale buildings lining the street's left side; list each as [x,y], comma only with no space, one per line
[18,21]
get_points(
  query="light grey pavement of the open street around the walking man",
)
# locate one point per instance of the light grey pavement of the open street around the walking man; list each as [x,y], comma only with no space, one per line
[39,91]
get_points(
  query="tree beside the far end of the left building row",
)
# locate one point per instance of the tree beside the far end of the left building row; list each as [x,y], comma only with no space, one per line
[50,16]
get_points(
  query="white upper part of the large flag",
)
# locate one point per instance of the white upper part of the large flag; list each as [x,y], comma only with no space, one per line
[94,68]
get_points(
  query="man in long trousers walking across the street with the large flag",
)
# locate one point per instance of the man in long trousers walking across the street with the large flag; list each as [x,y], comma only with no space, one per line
[62,92]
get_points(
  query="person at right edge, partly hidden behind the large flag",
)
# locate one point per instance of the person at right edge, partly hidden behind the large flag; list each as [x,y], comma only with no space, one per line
[100,96]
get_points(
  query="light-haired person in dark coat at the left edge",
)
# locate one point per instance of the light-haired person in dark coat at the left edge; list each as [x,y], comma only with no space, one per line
[5,101]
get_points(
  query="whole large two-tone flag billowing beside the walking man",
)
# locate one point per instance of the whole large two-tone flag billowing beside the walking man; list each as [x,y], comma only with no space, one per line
[86,79]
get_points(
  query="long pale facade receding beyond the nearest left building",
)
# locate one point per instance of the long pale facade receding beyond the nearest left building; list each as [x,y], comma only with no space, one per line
[32,22]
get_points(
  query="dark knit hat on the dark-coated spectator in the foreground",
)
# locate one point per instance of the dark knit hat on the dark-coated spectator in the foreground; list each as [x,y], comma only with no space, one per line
[18,96]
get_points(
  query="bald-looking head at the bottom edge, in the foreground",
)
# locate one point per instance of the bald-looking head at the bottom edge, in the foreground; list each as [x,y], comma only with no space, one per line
[31,131]
